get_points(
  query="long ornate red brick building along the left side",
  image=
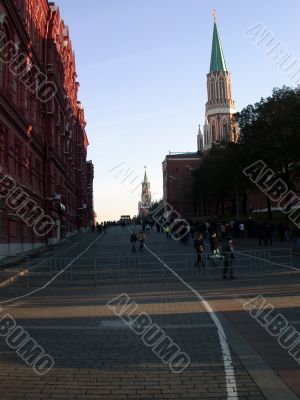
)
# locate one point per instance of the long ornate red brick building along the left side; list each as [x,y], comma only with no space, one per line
[43,142]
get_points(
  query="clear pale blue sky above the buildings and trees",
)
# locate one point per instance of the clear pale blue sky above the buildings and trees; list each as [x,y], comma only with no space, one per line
[142,68]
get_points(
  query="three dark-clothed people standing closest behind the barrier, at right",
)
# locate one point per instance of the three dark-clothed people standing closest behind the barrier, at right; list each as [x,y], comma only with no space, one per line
[227,253]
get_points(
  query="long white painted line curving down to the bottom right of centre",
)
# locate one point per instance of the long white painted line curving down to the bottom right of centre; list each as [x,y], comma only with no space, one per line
[231,386]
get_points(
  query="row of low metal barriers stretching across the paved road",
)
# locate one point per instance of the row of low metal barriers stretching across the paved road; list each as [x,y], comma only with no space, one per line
[145,267]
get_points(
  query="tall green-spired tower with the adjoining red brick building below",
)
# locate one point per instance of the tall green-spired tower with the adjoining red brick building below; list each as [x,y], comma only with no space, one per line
[220,124]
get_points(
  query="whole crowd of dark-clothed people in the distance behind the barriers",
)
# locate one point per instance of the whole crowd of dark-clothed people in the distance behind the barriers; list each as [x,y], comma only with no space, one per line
[220,236]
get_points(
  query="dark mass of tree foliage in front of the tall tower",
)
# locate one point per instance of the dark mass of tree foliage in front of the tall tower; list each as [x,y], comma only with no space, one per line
[269,131]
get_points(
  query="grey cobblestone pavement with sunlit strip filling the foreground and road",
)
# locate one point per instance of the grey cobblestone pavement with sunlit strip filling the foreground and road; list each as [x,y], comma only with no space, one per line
[98,356]
